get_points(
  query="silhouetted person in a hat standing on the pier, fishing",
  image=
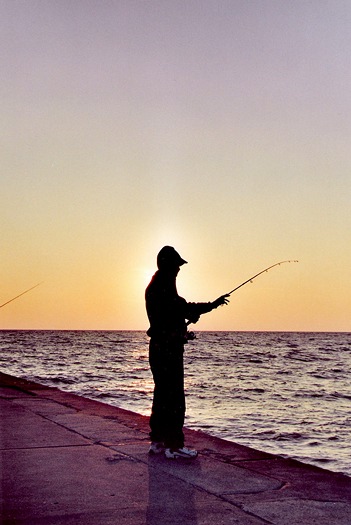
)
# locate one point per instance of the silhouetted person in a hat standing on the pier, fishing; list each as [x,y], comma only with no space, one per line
[168,313]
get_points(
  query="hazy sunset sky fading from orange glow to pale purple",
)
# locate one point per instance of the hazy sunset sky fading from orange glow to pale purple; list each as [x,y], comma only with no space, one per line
[221,128]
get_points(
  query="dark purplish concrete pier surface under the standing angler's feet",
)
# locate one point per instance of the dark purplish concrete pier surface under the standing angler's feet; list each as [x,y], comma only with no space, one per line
[70,460]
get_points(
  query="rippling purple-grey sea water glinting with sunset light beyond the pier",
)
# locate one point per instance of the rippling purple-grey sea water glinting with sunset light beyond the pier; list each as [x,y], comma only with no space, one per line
[279,392]
